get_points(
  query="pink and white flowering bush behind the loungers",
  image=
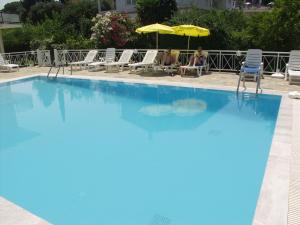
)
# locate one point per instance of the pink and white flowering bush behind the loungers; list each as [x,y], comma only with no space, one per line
[111,30]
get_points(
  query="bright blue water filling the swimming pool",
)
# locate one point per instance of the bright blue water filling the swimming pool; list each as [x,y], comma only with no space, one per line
[80,152]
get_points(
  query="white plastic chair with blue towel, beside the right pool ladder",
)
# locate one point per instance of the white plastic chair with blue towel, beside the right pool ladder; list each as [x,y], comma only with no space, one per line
[252,66]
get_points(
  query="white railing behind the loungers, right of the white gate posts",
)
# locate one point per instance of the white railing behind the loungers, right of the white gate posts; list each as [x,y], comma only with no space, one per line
[219,60]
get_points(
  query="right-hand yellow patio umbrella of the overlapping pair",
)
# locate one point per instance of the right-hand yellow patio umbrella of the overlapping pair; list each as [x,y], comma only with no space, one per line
[190,31]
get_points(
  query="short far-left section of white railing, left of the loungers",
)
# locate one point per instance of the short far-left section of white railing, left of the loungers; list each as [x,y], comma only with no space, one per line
[29,58]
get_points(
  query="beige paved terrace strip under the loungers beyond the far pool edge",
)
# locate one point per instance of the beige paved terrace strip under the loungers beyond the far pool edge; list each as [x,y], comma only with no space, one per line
[210,79]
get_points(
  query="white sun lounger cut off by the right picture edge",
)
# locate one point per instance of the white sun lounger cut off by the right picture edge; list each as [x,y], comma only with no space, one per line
[292,71]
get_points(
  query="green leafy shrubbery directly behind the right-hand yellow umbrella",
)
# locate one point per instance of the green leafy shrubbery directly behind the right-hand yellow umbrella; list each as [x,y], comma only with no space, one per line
[226,28]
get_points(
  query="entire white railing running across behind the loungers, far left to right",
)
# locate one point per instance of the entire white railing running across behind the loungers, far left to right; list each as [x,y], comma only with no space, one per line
[219,60]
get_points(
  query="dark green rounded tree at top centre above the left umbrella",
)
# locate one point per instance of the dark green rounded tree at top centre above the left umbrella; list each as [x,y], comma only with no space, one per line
[155,11]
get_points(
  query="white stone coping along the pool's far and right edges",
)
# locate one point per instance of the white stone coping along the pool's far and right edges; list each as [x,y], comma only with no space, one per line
[264,213]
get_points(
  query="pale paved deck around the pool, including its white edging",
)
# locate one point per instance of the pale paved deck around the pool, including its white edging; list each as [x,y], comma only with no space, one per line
[279,200]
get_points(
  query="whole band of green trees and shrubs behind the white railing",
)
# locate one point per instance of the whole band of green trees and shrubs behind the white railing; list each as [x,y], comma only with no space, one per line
[61,24]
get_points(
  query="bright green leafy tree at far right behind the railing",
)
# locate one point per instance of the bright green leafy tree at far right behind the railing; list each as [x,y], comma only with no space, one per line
[278,29]
